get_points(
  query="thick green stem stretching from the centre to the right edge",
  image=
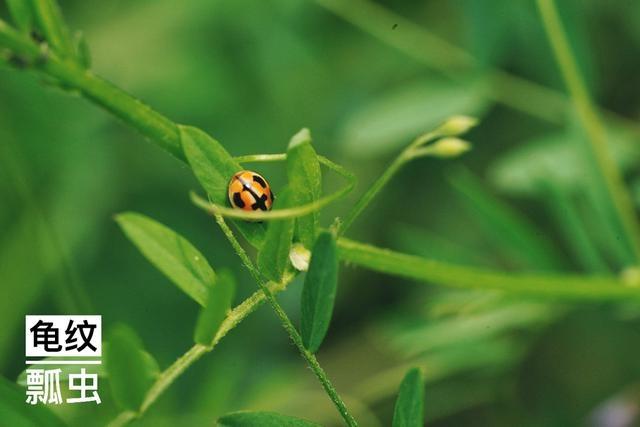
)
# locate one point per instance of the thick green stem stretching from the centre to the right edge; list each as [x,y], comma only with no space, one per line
[572,287]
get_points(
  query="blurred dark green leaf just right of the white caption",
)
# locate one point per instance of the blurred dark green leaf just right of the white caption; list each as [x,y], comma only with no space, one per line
[130,374]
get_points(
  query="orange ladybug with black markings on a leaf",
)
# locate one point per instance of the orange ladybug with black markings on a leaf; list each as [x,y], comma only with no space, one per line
[249,191]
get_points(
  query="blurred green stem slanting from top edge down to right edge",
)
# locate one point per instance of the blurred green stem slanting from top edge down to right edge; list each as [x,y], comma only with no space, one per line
[591,122]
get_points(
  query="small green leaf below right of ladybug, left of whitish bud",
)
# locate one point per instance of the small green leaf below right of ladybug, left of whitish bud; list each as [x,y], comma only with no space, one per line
[273,257]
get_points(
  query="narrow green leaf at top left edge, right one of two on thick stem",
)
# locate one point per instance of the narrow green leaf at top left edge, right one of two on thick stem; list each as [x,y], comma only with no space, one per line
[49,18]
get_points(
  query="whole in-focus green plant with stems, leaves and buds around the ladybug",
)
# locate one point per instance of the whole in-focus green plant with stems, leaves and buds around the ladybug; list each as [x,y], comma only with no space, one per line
[296,215]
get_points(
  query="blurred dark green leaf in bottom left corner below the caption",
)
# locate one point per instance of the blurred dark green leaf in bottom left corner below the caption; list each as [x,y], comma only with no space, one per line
[15,412]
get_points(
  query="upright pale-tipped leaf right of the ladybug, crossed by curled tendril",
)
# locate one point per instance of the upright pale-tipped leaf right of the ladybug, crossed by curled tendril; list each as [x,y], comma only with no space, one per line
[305,181]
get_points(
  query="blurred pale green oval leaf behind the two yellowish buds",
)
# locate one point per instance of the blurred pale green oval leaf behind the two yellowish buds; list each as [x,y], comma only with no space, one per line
[385,124]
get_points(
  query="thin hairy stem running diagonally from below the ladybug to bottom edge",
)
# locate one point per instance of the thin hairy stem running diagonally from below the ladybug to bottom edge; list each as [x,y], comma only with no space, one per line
[288,326]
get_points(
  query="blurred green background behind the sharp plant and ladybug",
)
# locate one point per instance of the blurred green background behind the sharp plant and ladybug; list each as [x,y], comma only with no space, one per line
[253,73]
